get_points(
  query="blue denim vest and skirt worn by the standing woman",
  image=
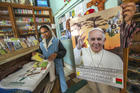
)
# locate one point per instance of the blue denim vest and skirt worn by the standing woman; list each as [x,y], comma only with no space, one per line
[53,48]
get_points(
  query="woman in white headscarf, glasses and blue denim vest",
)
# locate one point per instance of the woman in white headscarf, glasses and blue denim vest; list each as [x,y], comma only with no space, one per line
[53,50]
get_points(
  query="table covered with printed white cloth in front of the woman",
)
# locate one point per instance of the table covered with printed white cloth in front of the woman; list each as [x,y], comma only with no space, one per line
[23,80]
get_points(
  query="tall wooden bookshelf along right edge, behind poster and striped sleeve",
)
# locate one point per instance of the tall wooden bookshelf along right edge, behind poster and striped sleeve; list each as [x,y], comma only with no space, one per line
[132,58]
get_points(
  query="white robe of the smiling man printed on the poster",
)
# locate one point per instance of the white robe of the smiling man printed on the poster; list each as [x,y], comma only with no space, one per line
[105,59]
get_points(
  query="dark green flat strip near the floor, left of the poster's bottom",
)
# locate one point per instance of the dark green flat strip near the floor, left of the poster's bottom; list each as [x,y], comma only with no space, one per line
[76,86]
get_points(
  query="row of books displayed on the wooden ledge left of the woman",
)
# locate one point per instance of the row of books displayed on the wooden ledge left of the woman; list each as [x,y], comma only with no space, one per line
[13,44]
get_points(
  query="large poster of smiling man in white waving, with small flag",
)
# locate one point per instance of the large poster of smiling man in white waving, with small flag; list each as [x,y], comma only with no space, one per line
[96,46]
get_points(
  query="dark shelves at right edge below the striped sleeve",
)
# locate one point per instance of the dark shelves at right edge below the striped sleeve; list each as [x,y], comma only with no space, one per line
[133,73]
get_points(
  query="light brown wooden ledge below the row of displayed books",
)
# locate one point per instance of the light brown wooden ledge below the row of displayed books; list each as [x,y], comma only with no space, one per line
[16,54]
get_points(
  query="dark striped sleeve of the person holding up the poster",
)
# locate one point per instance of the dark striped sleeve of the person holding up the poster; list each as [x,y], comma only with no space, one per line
[127,32]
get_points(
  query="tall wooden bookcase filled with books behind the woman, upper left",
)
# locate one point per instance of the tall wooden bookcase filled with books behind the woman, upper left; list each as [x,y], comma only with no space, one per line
[23,20]
